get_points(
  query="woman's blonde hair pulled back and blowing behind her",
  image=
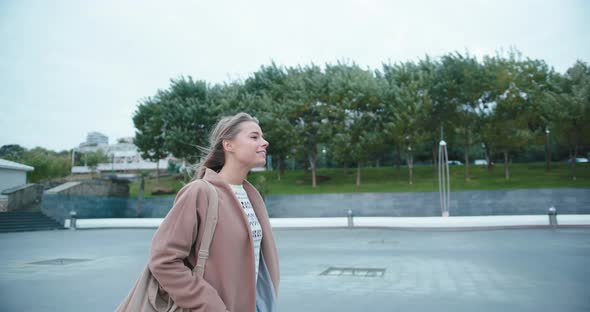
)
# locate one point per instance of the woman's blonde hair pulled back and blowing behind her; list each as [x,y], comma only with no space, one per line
[226,129]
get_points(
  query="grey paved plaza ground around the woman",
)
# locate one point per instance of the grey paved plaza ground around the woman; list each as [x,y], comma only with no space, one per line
[502,270]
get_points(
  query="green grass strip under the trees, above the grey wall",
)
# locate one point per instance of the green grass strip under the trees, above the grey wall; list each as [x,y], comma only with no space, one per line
[388,179]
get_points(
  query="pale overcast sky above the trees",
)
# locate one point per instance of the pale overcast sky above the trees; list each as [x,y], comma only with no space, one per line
[71,67]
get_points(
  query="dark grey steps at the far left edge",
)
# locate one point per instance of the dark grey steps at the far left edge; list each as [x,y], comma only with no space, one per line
[20,221]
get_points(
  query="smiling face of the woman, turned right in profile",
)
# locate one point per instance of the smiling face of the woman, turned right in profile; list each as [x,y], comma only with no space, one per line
[248,147]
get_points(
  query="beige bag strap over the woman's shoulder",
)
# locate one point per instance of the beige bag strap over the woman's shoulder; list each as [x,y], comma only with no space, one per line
[210,223]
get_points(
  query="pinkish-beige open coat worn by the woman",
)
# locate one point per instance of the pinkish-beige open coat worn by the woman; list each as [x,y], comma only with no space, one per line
[229,280]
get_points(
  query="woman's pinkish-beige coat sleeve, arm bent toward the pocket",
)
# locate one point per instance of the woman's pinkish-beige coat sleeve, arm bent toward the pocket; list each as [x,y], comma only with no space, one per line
[171,244]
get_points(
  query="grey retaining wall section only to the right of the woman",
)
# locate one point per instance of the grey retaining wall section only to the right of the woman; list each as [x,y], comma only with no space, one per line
[464,203]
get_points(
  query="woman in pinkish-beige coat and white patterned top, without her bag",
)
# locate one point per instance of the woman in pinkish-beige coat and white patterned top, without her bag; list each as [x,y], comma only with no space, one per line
[242,271]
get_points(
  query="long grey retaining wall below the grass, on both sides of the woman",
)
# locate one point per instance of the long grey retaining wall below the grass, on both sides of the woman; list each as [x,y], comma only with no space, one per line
[416,204]
